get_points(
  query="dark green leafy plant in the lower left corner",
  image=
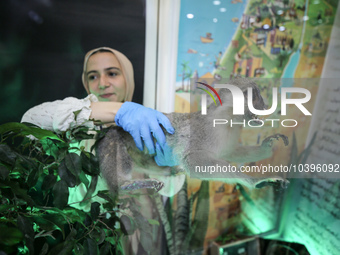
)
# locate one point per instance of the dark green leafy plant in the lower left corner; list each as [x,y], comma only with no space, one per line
[35,177]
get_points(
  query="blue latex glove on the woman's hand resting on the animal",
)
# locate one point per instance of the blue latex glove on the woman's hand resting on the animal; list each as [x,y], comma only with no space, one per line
[143,123]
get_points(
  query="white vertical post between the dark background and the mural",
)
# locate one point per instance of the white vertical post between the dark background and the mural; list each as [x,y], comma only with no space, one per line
[162,23]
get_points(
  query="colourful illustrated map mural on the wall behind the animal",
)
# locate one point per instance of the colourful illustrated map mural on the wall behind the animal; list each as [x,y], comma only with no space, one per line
[272,40]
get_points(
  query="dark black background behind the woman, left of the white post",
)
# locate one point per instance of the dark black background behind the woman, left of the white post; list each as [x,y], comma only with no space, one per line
[43,43]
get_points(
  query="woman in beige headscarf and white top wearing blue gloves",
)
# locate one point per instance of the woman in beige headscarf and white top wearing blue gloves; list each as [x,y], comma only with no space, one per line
[108,79]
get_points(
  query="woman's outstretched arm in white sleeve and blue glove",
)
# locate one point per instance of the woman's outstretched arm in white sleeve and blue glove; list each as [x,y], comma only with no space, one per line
[141,122]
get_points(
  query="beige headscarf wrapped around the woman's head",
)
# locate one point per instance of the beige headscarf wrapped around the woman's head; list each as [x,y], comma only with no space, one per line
[127,70]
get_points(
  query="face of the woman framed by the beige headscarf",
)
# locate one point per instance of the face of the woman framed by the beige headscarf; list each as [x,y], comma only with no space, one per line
[105,78]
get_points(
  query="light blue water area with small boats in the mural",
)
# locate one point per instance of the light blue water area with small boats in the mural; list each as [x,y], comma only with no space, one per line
[197,18]
